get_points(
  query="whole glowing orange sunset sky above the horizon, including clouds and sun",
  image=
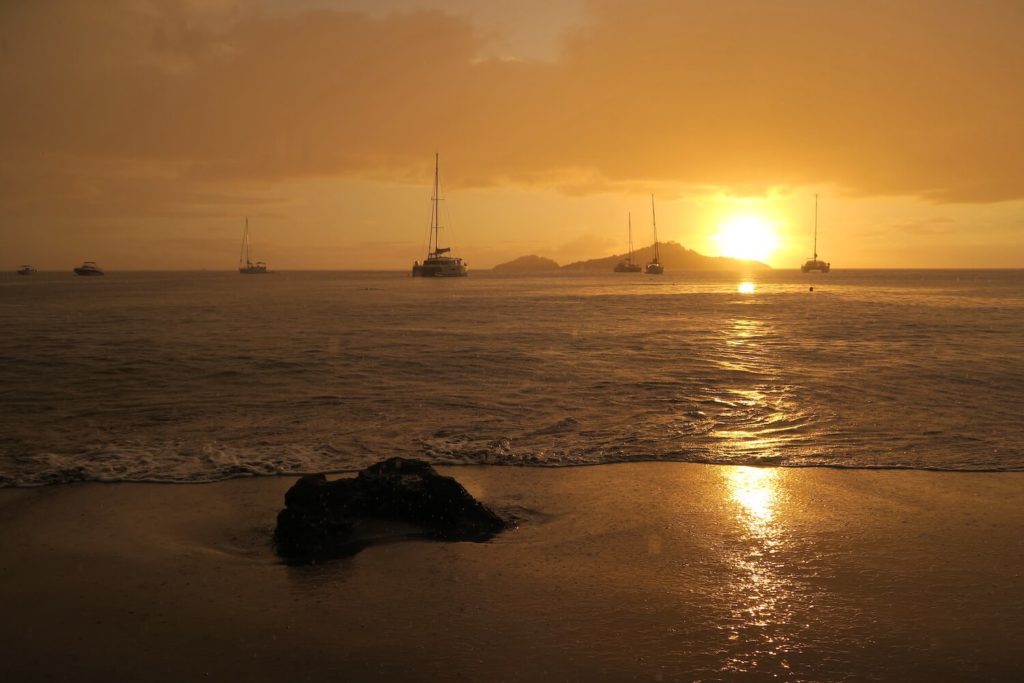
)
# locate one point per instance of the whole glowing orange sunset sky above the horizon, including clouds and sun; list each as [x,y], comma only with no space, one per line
[142,134]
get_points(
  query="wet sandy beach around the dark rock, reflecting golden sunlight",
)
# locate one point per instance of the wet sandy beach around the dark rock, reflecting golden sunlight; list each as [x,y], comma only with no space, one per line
[642,572]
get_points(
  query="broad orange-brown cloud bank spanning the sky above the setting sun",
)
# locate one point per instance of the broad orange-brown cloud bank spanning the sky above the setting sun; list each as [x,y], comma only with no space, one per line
[915,99]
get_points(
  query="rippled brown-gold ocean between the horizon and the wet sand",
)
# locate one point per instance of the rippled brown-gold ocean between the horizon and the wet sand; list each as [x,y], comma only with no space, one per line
[190,377]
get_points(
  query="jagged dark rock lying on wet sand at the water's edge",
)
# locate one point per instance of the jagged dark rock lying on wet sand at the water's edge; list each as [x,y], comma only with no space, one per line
[394,498]
